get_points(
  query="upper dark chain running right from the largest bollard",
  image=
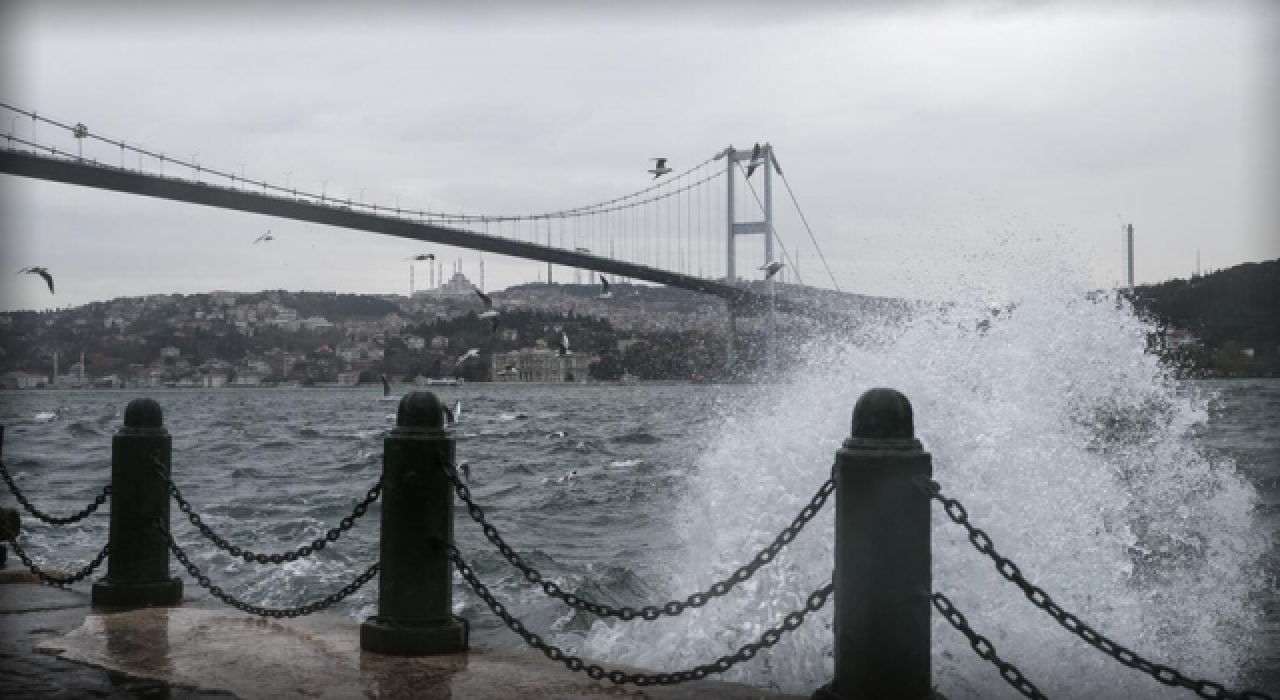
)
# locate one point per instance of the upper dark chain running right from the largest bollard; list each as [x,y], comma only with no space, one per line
[1009,570]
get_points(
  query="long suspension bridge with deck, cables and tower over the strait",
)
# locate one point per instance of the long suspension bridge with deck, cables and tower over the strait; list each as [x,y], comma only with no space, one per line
[682,231]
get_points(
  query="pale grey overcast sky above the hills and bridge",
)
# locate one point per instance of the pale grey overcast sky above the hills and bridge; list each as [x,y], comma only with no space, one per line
[932,148]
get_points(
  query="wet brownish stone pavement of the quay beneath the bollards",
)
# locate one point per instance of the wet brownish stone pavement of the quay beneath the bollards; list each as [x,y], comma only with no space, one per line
[54,646]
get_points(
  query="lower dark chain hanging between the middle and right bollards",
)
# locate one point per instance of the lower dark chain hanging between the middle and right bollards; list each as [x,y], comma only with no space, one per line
[771,637]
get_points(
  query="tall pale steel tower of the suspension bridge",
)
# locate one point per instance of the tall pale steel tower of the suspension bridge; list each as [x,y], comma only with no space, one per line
[764,161]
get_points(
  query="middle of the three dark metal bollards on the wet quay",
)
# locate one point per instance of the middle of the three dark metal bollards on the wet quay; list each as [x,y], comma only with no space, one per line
[415,587]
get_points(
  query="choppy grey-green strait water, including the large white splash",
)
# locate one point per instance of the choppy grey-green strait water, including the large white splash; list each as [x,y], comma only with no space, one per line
[1146,506]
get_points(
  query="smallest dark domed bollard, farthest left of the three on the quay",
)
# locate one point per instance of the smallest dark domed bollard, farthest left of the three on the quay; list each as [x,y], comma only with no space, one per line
[138,565]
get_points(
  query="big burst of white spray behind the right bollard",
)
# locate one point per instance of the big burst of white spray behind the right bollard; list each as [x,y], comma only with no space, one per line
[1069,445]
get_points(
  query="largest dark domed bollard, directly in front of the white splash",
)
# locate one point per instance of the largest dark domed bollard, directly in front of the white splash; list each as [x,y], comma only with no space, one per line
[884,577]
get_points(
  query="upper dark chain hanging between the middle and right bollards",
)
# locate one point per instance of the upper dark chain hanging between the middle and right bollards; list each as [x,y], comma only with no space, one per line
[650,612]
